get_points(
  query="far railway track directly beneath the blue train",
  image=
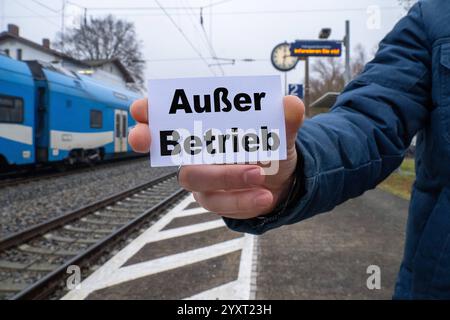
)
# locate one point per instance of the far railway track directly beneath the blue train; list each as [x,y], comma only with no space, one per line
[27,176]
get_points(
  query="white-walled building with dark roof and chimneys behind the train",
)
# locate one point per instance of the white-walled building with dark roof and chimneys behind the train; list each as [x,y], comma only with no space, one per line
[111,72]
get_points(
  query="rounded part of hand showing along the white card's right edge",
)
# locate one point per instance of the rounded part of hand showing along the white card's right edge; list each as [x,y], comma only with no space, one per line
[294,113]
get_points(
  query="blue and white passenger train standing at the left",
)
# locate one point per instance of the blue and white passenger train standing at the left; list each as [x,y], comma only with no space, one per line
[49,115]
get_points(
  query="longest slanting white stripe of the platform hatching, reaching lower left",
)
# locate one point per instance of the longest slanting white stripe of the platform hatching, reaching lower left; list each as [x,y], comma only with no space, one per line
[136,271]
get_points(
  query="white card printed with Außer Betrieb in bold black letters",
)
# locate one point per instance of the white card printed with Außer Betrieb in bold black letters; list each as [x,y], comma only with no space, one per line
[221,120]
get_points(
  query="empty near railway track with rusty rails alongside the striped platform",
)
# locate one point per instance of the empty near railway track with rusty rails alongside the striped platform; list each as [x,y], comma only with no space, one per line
[34,262]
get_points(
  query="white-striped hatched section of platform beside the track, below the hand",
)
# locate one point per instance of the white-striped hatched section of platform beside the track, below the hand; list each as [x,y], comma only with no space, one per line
[188,254]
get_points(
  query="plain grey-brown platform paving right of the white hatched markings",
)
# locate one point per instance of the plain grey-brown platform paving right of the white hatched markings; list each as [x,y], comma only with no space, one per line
[327,256]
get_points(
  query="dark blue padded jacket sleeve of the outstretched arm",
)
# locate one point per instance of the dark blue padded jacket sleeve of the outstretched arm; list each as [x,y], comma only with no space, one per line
[363,139]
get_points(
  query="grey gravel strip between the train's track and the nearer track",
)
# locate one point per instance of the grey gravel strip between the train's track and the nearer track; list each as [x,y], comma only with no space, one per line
[25,205]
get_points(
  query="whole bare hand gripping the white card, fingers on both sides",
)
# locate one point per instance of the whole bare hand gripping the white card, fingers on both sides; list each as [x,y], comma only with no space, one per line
[233,191]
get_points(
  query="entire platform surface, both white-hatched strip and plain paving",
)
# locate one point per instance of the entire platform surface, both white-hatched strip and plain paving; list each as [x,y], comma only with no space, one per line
[190,254]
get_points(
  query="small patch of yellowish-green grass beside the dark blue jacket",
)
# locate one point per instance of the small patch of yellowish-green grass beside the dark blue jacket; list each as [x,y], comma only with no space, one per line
[400,182]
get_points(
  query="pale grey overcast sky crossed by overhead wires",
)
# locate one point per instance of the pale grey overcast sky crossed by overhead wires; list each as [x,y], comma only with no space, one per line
[237,28]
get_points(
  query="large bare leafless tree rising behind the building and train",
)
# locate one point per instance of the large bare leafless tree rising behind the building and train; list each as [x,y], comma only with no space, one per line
[104,39]
